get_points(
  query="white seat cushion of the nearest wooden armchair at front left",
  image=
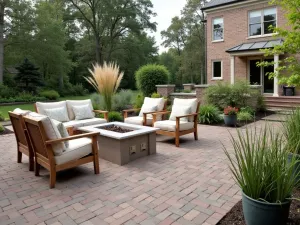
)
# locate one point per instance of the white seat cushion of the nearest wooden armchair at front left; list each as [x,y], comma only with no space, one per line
[78,148]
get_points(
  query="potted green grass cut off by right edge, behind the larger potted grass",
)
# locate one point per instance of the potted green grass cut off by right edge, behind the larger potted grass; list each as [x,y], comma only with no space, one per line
[291,132]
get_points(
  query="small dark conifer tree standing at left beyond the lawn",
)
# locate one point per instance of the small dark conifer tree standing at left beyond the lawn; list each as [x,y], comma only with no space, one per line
[28,77]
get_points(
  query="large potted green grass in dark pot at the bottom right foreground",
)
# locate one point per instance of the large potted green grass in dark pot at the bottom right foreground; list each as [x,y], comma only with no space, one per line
[259,166]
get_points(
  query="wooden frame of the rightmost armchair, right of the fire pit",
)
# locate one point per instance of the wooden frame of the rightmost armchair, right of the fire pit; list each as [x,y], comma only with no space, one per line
[177,133]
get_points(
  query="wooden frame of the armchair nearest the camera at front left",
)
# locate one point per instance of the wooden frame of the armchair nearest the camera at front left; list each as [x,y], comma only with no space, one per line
[43,152]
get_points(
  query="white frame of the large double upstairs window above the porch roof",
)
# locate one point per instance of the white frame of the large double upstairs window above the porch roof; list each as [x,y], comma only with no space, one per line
[262,22]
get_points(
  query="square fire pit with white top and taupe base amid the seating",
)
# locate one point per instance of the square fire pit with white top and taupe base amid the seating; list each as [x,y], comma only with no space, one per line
[121,143]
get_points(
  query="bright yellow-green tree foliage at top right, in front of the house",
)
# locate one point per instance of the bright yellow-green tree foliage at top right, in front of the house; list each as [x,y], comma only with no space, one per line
[288,71]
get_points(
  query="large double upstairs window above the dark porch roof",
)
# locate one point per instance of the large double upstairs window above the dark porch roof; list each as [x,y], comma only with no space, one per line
[260,21]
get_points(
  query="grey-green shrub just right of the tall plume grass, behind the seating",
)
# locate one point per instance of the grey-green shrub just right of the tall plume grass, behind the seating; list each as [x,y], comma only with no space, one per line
[122,100]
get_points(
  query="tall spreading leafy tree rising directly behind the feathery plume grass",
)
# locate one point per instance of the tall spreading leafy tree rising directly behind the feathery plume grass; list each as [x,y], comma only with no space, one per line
[110,20]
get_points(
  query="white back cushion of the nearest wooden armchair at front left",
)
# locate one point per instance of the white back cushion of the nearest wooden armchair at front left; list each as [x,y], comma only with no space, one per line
[50,130]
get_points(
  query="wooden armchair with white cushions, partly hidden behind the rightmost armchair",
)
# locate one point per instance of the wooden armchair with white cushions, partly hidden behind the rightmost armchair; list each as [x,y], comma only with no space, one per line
[145,118]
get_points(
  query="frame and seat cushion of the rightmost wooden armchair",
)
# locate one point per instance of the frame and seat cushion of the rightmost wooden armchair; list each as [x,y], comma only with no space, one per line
[177,128]
